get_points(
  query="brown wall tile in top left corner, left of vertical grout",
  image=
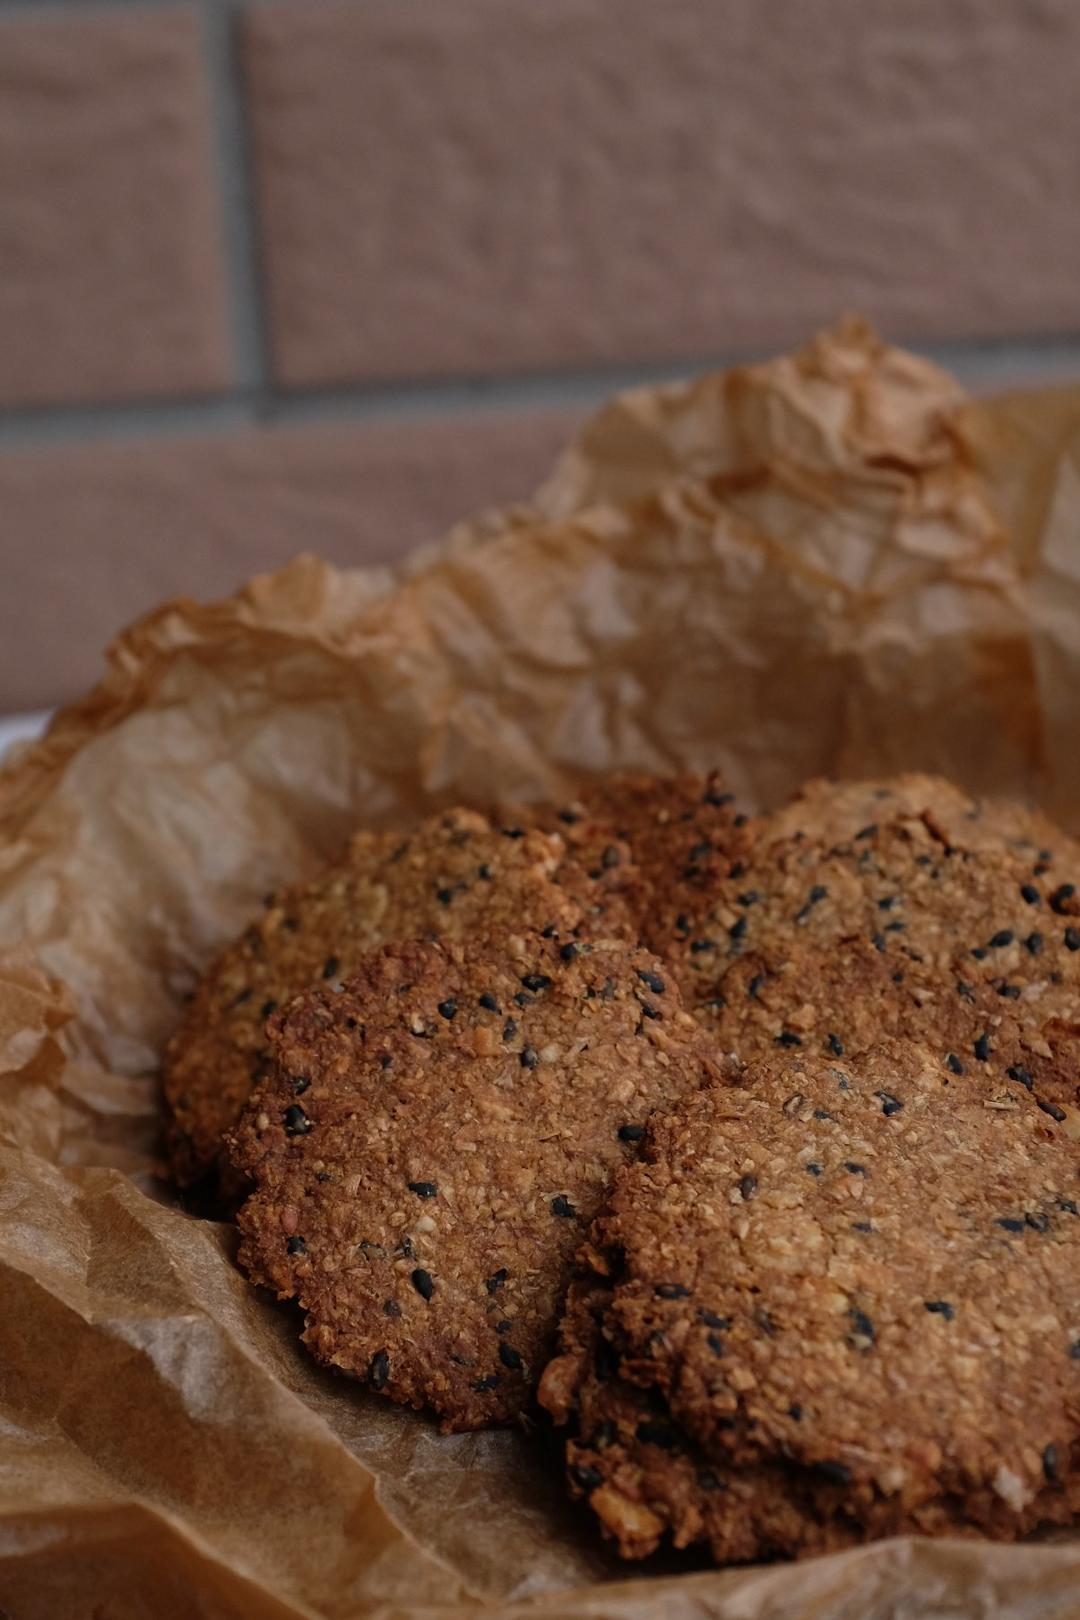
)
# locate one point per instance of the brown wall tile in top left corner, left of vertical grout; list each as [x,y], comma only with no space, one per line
[111,275]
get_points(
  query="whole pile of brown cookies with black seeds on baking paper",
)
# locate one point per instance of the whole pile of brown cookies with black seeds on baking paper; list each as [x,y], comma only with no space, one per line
[750,1145]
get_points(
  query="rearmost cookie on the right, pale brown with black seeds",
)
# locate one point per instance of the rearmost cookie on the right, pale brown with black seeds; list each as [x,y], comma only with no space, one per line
[992,910]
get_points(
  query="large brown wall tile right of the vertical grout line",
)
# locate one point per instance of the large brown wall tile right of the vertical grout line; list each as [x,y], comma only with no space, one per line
[488,185]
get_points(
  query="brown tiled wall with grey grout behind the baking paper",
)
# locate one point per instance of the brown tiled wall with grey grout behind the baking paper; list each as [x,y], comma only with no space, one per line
[328,275]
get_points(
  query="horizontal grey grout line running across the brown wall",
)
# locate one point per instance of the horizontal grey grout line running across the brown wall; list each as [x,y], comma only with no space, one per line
[979,365]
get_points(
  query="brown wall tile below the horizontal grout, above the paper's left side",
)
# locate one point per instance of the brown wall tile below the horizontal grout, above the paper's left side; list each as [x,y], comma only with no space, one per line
[96,535]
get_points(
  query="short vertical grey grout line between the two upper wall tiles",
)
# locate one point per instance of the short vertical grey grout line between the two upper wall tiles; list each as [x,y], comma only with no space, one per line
[236,194]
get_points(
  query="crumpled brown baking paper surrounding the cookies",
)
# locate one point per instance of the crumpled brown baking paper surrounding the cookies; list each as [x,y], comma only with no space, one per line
[833,563]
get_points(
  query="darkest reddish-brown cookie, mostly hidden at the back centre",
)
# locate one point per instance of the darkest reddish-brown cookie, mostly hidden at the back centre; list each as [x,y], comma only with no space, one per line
[657,842]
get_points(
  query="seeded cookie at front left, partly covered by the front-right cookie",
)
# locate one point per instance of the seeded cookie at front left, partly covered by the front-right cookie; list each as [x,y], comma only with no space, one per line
[433,1143]
